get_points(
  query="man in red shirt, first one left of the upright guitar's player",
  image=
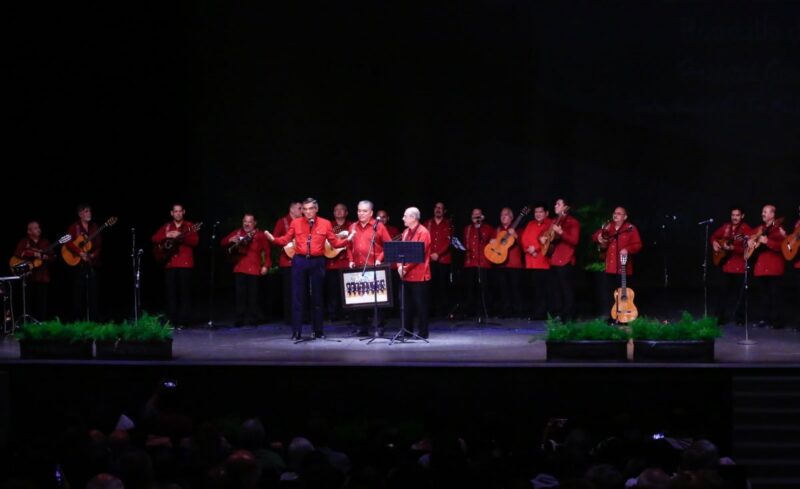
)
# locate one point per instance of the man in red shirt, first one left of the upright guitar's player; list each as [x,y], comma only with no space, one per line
[566,233]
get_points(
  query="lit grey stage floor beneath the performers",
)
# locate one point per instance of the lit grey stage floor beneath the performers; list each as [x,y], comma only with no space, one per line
[512,343]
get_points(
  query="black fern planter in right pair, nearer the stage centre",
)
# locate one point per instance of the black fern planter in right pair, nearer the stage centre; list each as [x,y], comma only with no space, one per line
[586,340]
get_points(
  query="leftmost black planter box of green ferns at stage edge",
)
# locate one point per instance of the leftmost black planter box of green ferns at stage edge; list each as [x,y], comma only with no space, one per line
[56,340]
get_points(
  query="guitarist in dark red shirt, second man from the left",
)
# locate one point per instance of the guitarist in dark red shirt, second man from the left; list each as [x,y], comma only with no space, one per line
[85,275]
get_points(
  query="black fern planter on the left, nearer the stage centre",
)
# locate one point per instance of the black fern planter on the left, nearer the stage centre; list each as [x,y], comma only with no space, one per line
[146,340]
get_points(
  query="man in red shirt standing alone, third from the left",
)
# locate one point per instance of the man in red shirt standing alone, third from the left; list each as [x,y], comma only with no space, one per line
[179,264]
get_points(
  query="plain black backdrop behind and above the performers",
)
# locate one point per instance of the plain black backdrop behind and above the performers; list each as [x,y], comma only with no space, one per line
[670,108]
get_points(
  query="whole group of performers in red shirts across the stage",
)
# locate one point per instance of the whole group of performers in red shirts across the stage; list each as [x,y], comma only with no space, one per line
[315,249]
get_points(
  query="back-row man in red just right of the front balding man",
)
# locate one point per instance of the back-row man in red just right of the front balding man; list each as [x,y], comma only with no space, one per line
[441,230]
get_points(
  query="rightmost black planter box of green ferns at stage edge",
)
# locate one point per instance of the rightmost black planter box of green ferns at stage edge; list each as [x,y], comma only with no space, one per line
[687,340]
